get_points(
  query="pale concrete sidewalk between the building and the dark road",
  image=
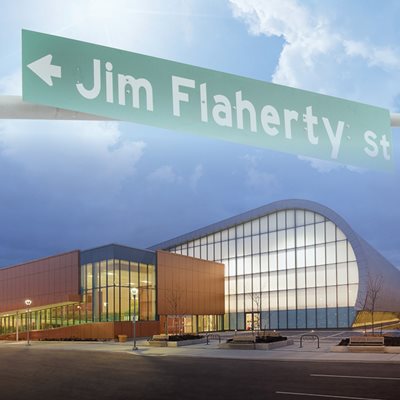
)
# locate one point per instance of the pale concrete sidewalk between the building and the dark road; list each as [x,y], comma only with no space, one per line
[309,351]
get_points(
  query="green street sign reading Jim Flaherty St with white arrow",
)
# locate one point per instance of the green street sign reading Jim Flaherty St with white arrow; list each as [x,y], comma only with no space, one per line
[133,87]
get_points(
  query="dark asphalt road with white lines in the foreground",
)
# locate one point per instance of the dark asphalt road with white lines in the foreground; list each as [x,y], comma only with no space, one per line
[28,373]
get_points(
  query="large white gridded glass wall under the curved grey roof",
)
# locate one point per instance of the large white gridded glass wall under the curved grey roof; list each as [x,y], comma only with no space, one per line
[290,269]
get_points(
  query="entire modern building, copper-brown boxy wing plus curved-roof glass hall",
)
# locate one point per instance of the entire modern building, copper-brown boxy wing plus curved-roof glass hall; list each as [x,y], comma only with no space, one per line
[291,264]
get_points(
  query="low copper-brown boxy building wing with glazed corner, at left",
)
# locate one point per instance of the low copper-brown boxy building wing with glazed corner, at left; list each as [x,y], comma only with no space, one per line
[88,294]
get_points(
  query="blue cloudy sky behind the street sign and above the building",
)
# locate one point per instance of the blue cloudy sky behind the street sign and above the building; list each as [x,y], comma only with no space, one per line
[75,185]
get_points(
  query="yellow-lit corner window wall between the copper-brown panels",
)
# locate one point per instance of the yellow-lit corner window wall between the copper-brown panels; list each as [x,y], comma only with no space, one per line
[106,289]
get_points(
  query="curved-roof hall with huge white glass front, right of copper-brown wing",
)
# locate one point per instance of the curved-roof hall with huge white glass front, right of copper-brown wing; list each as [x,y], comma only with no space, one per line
[295,264]
